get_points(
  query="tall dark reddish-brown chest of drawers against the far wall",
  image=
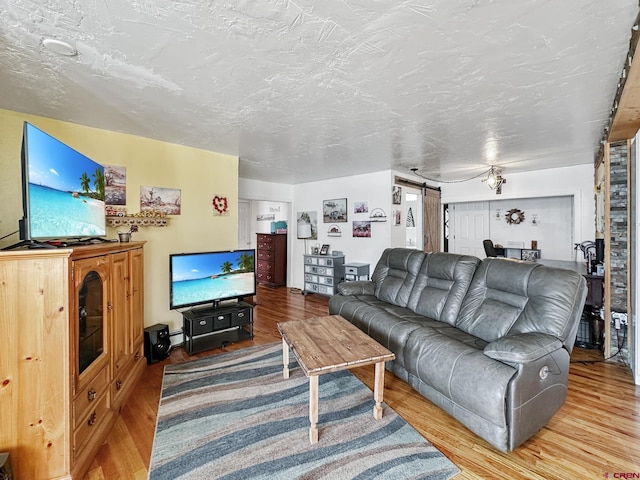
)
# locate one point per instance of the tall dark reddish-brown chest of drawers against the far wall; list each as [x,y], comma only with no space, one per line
[271,264]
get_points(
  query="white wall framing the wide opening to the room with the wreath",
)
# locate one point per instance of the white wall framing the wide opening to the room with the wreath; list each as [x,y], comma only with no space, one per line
[576,181]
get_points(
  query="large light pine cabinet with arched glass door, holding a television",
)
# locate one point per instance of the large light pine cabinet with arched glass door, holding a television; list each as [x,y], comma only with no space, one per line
[73,324]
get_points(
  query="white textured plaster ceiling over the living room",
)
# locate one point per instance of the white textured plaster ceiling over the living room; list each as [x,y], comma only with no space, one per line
[310,89]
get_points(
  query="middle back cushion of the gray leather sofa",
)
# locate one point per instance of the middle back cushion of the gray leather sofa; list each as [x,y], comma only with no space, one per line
[441,284]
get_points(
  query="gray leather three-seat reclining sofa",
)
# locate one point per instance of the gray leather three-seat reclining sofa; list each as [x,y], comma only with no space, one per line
[487,341]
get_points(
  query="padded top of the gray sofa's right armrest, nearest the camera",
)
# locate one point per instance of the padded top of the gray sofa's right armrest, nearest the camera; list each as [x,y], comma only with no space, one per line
[522,347]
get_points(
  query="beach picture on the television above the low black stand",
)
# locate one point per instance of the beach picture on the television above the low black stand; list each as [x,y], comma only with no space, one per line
[212,276]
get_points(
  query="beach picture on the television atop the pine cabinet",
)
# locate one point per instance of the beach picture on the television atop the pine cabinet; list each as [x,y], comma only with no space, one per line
[66,190]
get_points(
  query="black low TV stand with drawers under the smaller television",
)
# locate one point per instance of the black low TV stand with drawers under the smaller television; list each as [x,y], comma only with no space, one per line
[214,327]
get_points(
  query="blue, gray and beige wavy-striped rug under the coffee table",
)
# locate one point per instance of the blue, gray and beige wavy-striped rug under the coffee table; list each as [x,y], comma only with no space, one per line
[234,416]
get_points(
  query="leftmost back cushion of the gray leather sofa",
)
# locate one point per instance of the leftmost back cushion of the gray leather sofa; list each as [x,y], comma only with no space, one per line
[395,273]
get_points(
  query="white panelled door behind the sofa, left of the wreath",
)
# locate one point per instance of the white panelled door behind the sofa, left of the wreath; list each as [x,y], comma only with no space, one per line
[470,223]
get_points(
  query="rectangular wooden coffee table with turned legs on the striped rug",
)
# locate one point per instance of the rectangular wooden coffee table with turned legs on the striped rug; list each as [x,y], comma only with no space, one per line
[329,344]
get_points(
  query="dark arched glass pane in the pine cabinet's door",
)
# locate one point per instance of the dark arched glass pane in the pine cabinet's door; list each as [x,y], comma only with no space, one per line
[91,320]
